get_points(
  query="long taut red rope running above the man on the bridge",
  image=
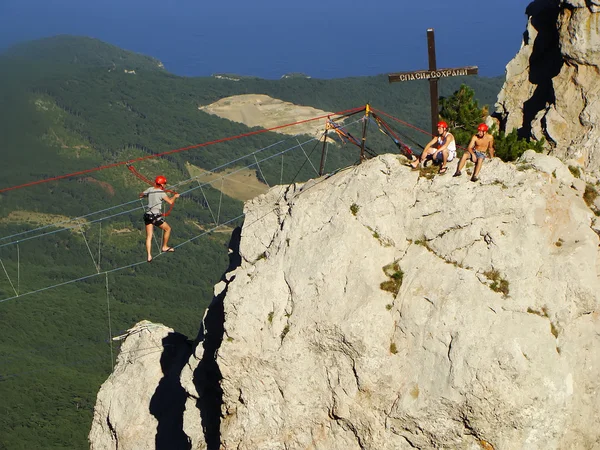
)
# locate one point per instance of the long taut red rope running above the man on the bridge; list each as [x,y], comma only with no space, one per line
[143,158]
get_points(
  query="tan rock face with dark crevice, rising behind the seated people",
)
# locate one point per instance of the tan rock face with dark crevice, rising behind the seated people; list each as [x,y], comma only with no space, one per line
[551,89]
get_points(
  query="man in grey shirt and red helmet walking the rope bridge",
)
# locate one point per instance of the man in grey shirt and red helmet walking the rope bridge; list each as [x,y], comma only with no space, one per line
[153,216]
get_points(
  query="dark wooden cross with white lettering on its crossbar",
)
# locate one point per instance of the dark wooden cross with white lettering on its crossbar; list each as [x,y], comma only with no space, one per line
[433,75]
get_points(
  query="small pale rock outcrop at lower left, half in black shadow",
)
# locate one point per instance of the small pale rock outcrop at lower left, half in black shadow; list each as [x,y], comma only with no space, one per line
[141,404]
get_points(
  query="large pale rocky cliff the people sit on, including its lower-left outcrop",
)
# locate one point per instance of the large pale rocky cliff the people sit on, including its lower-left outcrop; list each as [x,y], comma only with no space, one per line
[382,308]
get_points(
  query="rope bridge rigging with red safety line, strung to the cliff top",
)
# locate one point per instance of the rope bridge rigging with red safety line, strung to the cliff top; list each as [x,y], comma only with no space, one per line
[333,126]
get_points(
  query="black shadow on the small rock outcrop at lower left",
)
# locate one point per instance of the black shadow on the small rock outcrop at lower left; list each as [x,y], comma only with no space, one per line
[168,402]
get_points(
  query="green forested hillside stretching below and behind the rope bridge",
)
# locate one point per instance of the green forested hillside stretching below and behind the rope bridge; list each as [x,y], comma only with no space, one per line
[70,104]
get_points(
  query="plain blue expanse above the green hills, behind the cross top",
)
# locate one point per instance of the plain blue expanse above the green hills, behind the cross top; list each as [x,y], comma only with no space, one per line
[268,38]
